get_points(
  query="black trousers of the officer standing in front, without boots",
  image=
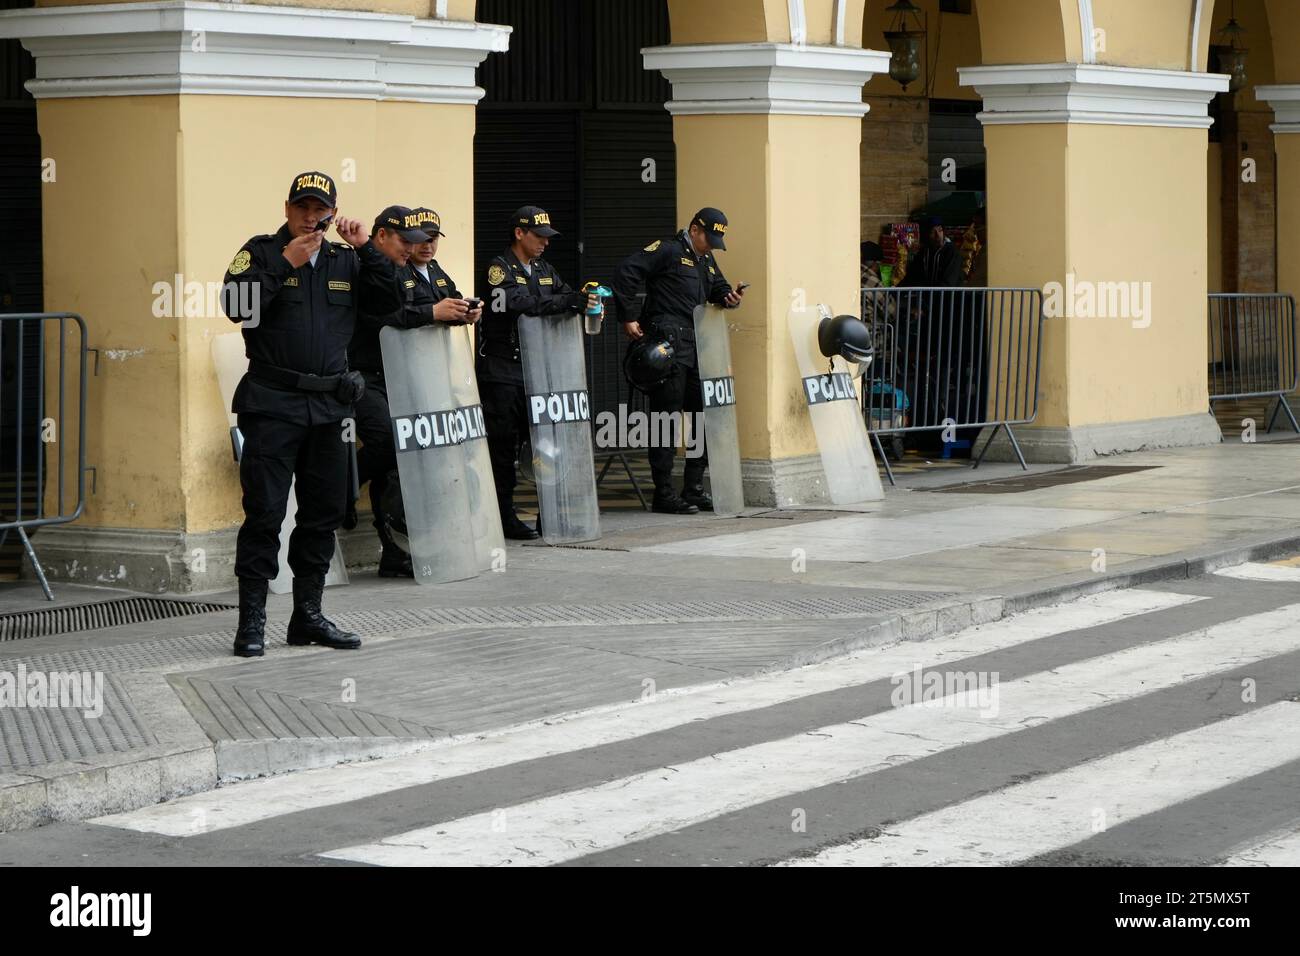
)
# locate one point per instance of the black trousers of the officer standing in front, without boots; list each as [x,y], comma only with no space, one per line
[275,453]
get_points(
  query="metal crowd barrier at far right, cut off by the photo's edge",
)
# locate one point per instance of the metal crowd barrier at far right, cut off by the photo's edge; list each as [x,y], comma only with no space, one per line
[1253,343]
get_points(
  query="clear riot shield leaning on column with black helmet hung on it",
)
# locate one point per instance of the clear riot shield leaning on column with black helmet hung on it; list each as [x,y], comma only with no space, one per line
[837,413]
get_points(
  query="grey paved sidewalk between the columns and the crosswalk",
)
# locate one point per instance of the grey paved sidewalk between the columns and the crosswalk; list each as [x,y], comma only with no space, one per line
[658,604]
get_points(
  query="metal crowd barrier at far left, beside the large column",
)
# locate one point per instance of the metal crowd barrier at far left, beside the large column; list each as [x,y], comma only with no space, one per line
[31,429]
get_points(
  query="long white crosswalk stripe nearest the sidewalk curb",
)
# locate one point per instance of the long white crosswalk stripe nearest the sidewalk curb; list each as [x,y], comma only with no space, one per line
[257,801]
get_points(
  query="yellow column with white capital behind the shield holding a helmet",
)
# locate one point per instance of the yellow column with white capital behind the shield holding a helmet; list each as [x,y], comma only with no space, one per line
[770,133]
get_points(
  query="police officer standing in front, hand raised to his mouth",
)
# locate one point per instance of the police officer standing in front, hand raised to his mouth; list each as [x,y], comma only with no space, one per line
[298,299]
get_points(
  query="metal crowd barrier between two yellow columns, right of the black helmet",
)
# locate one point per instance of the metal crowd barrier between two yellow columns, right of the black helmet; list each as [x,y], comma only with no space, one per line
[961,360]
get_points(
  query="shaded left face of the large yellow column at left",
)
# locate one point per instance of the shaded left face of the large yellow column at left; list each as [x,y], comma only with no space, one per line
[116,165]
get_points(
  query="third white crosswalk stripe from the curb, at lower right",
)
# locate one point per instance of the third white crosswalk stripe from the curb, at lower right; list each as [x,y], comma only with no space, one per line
[1063,810]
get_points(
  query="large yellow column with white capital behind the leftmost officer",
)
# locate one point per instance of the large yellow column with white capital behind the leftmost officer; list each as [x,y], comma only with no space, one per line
[175,137]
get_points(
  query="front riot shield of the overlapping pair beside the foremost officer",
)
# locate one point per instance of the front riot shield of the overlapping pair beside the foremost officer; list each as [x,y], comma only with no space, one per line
[430,435]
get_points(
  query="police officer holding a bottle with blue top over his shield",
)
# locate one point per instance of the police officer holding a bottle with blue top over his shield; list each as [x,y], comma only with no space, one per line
[521,283]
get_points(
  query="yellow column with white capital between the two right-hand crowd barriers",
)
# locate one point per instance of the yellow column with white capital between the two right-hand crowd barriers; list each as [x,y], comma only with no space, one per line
[1098,196]
